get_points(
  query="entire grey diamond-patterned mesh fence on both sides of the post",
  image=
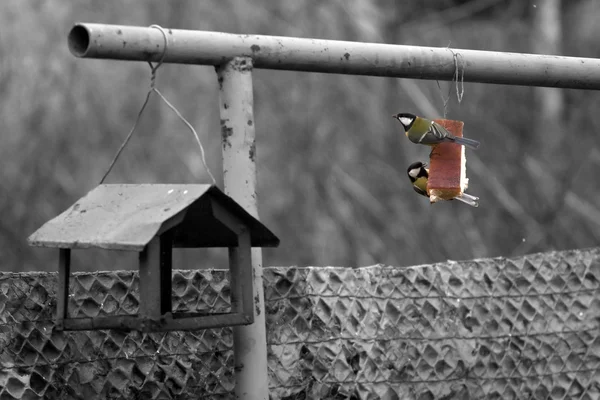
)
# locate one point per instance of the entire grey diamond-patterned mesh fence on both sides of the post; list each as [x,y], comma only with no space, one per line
[527,327]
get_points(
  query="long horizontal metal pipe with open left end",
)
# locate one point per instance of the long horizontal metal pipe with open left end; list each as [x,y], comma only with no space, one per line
[331,56]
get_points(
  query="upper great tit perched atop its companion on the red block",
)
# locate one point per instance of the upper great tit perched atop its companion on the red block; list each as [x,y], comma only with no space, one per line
[423,131]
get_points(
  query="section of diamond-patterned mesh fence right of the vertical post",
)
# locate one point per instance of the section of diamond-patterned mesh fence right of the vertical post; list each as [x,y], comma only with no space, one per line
[495,328]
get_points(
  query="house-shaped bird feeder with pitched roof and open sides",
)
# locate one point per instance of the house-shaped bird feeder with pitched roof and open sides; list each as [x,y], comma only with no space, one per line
[152,219]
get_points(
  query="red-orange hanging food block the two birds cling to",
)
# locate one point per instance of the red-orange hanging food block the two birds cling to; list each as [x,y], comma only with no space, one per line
[448,168]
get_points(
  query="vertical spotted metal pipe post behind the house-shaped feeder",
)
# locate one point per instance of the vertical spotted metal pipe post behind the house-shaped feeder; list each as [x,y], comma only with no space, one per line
[239,174]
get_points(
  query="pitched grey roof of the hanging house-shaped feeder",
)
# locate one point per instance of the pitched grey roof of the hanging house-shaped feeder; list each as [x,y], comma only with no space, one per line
[127,217]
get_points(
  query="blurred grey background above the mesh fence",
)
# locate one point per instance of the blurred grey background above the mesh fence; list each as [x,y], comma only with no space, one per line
[331,161]
